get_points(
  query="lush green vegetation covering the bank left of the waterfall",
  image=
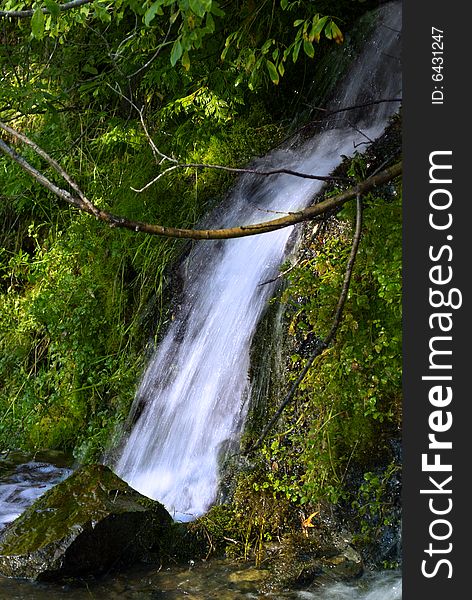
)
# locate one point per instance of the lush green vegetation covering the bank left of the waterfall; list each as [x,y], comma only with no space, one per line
[75,298]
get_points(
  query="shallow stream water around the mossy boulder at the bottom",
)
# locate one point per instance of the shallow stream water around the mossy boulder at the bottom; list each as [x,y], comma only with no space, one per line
[24,478]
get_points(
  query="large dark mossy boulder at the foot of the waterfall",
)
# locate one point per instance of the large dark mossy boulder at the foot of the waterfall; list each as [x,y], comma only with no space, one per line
[88,524]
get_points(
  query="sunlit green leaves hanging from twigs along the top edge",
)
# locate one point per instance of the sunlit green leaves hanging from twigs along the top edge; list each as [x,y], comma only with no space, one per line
[183,26]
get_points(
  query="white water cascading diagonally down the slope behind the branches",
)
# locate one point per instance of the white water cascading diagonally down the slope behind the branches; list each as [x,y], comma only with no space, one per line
[194,394]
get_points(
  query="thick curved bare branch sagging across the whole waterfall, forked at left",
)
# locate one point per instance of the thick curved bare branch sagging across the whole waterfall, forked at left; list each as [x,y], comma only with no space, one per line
[80,201]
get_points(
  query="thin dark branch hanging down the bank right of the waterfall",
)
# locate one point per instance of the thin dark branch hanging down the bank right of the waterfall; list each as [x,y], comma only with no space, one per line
[322,344]
